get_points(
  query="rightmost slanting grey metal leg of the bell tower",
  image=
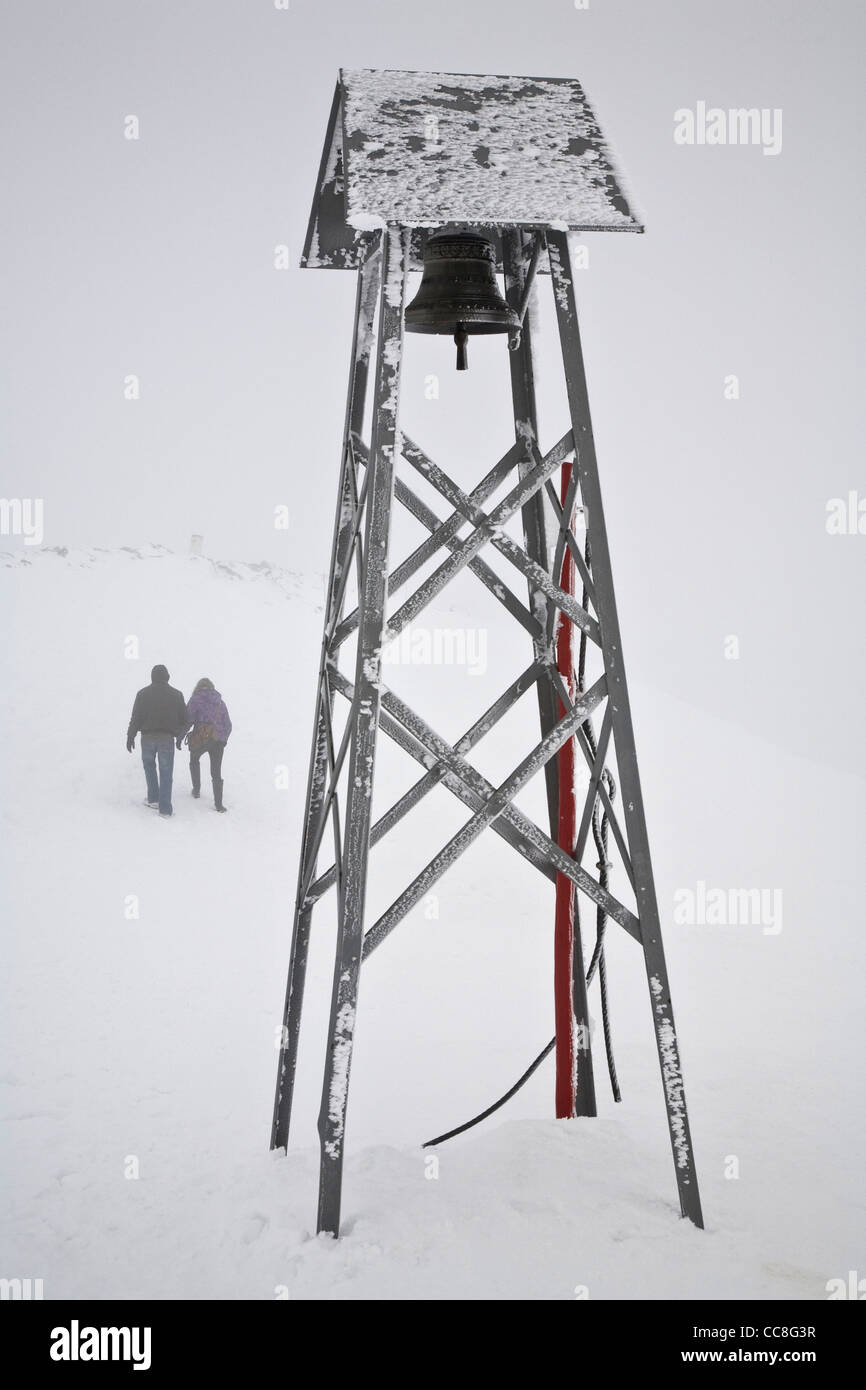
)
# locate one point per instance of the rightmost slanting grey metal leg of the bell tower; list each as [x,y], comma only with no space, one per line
[623,732]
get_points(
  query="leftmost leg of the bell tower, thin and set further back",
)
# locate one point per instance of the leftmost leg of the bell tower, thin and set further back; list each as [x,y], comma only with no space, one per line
[341,555]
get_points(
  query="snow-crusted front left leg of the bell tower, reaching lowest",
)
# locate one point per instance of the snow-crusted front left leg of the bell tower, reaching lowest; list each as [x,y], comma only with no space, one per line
[363,722]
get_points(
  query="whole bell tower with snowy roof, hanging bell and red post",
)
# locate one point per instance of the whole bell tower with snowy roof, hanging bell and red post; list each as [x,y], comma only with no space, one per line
[514,166]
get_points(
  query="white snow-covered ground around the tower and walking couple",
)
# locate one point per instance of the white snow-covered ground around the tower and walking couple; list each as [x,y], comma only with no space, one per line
[145,967]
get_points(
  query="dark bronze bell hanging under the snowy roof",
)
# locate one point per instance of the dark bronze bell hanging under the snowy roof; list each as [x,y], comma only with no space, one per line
[459,294]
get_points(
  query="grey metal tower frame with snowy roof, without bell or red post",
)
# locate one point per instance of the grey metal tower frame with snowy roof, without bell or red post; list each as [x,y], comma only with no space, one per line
[384,108]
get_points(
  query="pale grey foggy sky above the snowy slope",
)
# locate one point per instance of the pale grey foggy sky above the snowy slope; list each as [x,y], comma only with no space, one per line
[156,258]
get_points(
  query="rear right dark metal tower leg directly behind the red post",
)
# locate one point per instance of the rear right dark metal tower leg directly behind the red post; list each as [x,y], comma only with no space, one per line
[537,547]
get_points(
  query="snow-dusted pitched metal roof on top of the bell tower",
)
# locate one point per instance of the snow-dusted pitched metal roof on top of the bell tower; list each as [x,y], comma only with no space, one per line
[440,149]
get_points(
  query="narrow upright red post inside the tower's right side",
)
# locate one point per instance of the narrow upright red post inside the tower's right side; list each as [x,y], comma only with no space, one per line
[564,932]
